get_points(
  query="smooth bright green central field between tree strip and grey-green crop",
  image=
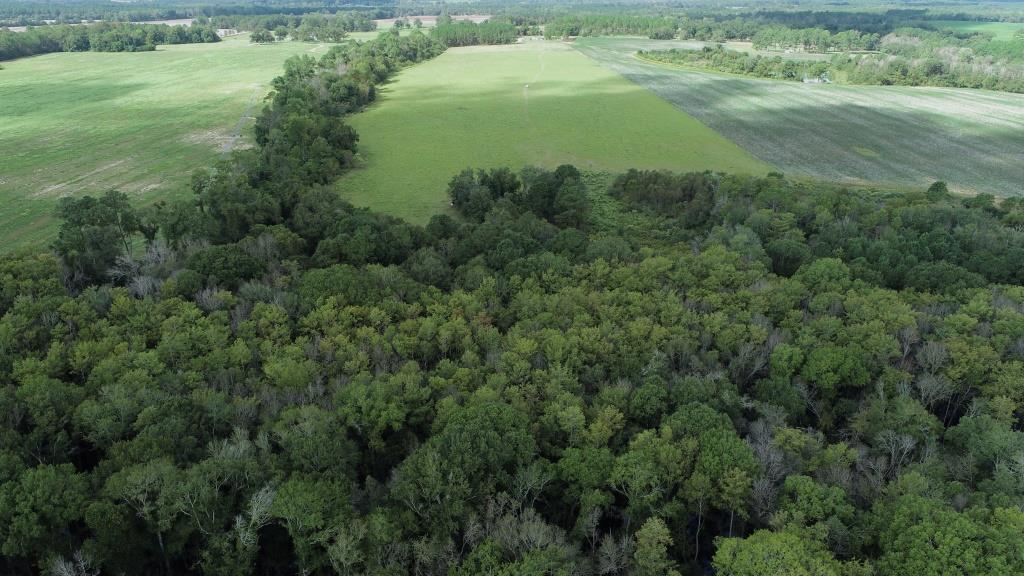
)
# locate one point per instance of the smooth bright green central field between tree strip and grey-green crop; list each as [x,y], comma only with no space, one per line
[537,103]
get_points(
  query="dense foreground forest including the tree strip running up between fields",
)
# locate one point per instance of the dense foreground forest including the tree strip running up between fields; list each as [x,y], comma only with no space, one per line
[761,377]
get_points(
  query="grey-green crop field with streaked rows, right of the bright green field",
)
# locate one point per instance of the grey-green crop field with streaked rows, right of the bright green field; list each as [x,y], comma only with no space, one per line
[895,137]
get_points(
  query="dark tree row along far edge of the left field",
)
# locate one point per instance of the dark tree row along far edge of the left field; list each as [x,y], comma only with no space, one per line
[102,37]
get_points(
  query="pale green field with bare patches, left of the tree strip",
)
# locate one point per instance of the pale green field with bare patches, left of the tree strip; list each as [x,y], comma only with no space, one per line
[86,122]
